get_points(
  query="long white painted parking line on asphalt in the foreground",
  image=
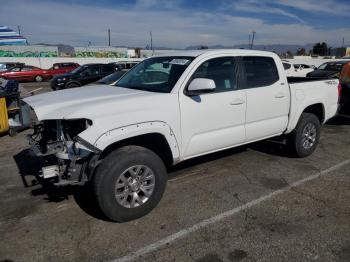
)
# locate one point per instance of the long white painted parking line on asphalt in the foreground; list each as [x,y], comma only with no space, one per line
[212,220]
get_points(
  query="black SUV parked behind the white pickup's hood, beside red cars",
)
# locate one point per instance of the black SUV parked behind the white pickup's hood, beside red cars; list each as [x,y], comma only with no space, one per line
[82,75]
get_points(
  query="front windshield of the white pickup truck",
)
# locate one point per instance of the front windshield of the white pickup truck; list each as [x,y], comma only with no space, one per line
[157,74]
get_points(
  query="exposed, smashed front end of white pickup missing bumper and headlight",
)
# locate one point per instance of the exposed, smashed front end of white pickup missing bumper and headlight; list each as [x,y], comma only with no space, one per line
[69,159]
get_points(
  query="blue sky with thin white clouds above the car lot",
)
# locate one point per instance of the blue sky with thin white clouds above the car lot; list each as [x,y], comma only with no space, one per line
[179,23]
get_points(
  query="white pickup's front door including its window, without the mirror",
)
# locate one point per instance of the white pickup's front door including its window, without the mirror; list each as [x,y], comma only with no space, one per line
[213,121]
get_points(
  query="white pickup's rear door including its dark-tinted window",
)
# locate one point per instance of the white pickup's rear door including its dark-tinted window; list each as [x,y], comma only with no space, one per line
[268,97]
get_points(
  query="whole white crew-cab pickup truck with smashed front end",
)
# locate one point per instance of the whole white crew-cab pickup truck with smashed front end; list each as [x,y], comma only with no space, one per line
[168,109]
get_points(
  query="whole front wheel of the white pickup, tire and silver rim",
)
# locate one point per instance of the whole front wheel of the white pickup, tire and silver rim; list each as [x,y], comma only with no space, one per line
[129,183]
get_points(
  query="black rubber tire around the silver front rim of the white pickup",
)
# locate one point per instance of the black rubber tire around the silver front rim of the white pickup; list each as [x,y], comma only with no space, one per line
[110,171]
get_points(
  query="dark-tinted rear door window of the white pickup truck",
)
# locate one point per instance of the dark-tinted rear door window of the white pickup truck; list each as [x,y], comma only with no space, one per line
[259,71]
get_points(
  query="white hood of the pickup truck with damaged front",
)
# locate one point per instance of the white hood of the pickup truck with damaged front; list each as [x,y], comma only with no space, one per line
[89,102]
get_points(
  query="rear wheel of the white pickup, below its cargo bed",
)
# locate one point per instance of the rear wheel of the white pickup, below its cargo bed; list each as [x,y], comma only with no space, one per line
[297,138]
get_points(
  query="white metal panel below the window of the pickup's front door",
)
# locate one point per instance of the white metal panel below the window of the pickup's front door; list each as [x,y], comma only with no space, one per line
[212,122]
